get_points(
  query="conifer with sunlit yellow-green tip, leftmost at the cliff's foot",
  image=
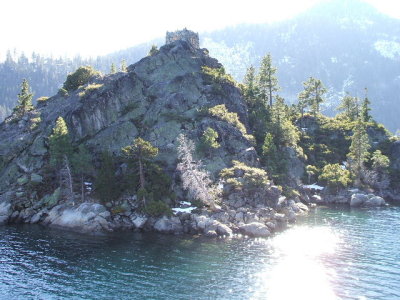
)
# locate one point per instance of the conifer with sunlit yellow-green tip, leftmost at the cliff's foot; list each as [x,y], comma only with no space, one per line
[59,143]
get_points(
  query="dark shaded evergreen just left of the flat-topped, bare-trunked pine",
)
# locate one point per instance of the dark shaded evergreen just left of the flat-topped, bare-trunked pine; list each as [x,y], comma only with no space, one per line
[107,185]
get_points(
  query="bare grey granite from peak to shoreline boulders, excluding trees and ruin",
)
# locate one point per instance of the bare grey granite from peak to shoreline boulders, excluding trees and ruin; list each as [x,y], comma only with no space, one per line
[158,98]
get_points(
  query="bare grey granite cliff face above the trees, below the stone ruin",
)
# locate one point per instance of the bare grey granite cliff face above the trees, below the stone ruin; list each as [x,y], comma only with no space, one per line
[158,98]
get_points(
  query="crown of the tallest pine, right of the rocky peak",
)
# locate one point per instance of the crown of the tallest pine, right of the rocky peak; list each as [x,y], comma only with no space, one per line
[267,80]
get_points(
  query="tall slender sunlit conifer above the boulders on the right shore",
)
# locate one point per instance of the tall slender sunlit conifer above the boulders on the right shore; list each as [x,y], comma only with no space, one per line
[358,149]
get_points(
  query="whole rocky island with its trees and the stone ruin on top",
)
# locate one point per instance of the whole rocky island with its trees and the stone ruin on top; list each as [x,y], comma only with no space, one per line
[173,144]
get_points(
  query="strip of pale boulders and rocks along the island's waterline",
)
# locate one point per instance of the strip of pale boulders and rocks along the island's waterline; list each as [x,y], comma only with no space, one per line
[95,218]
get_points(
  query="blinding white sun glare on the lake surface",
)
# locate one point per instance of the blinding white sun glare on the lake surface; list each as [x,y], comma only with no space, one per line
[298,271]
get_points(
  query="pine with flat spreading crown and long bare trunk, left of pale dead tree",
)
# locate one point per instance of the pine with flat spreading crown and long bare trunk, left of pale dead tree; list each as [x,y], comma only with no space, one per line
[141,151]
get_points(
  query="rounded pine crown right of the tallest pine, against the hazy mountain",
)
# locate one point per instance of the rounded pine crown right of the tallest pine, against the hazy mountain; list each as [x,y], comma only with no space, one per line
[312,95]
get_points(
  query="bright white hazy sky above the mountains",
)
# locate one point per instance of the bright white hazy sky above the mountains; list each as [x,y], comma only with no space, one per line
[97,27]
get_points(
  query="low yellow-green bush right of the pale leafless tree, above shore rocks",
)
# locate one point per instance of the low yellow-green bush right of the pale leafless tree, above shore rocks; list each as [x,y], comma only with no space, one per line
[243,177]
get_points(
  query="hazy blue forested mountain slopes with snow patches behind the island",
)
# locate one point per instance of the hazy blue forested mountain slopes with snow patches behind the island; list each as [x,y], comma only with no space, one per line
[347,44]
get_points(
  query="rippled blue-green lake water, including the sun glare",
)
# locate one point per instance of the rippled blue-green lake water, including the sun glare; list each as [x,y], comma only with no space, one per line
[331,254]
